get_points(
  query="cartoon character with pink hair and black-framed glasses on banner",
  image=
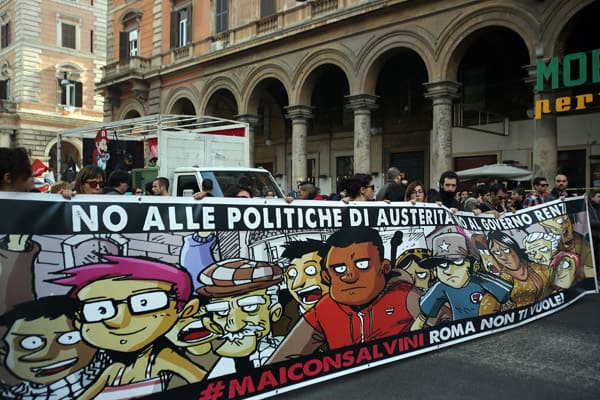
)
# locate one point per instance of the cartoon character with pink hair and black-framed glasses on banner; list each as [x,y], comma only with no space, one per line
[127,304]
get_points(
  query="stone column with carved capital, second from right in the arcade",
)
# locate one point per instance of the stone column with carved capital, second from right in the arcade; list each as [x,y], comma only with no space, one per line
[442,94]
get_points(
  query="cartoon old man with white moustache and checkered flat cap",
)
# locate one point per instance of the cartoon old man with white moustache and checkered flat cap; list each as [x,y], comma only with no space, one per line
[243,305]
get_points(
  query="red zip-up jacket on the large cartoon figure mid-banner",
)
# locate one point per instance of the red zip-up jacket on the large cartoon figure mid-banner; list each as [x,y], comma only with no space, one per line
[387,315]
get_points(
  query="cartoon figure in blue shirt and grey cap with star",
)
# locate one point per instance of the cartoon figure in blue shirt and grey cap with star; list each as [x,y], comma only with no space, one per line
[457,284]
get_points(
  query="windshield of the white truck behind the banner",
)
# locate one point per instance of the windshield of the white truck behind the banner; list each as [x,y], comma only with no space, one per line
[261,183]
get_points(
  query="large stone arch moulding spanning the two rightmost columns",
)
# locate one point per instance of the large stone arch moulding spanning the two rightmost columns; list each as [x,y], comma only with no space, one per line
[459,34]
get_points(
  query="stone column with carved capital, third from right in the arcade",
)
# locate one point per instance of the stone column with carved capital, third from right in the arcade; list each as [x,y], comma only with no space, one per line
[362,104]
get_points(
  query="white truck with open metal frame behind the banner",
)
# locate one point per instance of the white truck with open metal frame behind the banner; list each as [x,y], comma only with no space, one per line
[190,149]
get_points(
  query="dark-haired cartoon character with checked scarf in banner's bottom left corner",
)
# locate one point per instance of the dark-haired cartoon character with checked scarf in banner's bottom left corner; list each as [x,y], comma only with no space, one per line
[44,349]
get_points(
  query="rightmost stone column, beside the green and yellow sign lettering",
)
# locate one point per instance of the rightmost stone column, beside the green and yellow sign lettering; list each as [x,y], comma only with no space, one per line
[545,132]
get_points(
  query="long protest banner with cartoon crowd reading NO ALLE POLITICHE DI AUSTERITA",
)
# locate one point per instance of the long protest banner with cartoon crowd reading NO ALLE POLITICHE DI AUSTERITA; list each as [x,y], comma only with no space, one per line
[118,298]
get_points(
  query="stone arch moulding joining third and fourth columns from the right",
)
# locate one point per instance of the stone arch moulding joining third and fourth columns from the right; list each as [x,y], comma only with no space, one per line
[306,77]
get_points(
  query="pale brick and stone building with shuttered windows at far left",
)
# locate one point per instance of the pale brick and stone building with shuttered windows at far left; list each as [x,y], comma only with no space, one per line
[50,60]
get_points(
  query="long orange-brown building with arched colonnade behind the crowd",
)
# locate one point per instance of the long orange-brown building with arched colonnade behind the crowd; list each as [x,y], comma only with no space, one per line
[332,87]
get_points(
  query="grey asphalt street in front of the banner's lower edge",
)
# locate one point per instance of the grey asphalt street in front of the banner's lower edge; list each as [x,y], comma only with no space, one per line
[557,357]
